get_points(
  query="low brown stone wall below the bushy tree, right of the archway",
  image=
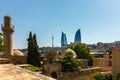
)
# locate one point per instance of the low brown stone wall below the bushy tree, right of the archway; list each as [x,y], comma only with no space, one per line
[85,74]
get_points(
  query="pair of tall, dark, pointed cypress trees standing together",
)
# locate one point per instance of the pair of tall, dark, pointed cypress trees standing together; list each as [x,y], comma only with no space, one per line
[33,56]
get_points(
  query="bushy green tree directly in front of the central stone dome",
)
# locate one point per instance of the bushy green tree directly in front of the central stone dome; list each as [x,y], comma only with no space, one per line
[69,63]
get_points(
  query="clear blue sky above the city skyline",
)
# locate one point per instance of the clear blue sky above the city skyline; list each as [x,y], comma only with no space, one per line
[99,20]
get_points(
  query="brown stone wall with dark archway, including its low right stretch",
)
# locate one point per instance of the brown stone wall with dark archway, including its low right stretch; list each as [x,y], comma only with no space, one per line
[85,74]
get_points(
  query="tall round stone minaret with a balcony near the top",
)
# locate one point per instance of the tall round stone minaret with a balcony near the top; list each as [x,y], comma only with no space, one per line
[8,30]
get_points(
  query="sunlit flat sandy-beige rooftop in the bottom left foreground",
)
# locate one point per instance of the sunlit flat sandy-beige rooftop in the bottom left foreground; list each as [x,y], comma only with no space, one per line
[12,72]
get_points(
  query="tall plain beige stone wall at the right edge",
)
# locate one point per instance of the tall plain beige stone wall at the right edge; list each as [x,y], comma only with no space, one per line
[115,60]
